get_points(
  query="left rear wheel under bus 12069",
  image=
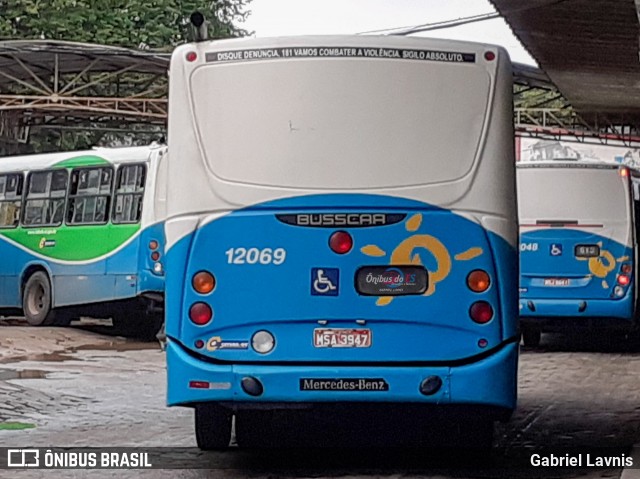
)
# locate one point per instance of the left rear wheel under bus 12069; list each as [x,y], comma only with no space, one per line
[213,426]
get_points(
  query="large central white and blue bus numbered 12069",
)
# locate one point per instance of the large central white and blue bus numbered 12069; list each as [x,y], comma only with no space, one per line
[336,234]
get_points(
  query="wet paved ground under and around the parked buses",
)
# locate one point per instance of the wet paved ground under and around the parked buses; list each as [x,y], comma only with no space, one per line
[73,387]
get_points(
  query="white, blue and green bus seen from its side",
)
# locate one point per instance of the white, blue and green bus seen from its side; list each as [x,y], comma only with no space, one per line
[81,233]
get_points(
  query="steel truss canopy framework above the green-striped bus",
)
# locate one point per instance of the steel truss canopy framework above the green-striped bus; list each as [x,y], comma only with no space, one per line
[65,85]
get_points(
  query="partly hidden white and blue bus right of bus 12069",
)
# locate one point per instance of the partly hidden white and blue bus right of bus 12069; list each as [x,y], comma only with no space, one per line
[577,247]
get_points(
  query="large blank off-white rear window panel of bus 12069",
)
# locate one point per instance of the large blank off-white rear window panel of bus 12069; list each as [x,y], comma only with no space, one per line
[395,132]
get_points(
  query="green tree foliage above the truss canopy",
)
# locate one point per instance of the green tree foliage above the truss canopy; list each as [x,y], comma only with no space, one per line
[156,24]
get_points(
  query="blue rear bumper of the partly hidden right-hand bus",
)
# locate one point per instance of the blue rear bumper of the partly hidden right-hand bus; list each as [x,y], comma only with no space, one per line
[531,308]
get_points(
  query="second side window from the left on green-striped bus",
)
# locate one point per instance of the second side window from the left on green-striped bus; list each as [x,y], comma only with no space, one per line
[46,195]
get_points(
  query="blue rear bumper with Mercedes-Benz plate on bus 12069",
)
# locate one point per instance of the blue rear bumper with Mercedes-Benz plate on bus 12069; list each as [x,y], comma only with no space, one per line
[490,381]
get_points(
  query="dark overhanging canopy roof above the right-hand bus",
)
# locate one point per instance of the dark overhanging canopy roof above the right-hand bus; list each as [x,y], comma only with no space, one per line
[589,49]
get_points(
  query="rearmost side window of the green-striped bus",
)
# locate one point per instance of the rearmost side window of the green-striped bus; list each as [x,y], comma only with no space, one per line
[127,204]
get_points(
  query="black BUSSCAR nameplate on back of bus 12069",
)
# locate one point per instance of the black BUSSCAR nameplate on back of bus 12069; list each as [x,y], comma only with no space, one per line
[330,220]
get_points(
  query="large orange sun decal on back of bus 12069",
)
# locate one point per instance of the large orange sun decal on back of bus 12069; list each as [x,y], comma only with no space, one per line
[405,254]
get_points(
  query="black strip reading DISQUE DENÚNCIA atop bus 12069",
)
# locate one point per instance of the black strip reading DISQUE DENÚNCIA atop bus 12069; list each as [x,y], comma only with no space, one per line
[339,52]
